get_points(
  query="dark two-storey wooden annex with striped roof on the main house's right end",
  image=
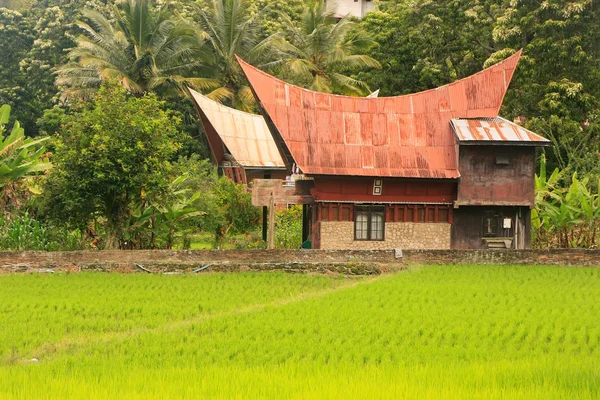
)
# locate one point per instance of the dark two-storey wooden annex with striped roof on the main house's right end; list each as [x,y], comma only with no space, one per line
[495,195]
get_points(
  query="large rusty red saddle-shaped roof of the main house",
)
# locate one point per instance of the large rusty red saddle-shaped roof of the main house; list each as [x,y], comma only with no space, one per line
[403,136]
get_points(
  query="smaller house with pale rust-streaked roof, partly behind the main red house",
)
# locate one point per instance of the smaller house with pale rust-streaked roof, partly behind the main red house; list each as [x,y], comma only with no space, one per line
[240,142]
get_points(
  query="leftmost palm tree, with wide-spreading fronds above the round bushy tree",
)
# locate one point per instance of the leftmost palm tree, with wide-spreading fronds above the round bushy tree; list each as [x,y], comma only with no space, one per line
[145,49]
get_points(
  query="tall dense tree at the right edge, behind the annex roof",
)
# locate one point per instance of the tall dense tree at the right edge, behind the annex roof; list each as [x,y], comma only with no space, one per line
[557,87]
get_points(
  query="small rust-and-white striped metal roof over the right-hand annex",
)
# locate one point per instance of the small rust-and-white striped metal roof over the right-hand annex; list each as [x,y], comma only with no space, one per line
[494,130]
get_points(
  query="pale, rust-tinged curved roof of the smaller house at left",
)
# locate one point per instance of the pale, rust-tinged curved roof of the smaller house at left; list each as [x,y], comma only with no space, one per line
[246,135]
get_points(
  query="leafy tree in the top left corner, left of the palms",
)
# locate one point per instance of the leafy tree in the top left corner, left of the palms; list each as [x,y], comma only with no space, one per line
[33,47]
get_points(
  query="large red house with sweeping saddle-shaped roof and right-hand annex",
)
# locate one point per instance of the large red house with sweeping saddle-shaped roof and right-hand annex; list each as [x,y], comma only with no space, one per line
[432,170]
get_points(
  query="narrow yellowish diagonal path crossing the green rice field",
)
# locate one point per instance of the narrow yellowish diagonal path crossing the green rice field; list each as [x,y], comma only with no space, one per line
[48,350]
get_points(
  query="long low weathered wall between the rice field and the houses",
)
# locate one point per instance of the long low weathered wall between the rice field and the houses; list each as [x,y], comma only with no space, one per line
[347,262]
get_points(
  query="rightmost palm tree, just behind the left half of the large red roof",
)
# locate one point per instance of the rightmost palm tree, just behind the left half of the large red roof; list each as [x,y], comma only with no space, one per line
[318,52]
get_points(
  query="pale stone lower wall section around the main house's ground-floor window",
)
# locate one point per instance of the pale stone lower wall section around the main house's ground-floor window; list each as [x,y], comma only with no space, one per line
[398,235]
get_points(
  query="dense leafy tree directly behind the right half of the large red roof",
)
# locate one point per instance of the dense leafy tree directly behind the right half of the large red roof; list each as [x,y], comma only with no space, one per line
[424,44]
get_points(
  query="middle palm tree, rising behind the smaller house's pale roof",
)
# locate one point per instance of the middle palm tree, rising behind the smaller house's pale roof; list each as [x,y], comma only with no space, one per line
[231,28]
